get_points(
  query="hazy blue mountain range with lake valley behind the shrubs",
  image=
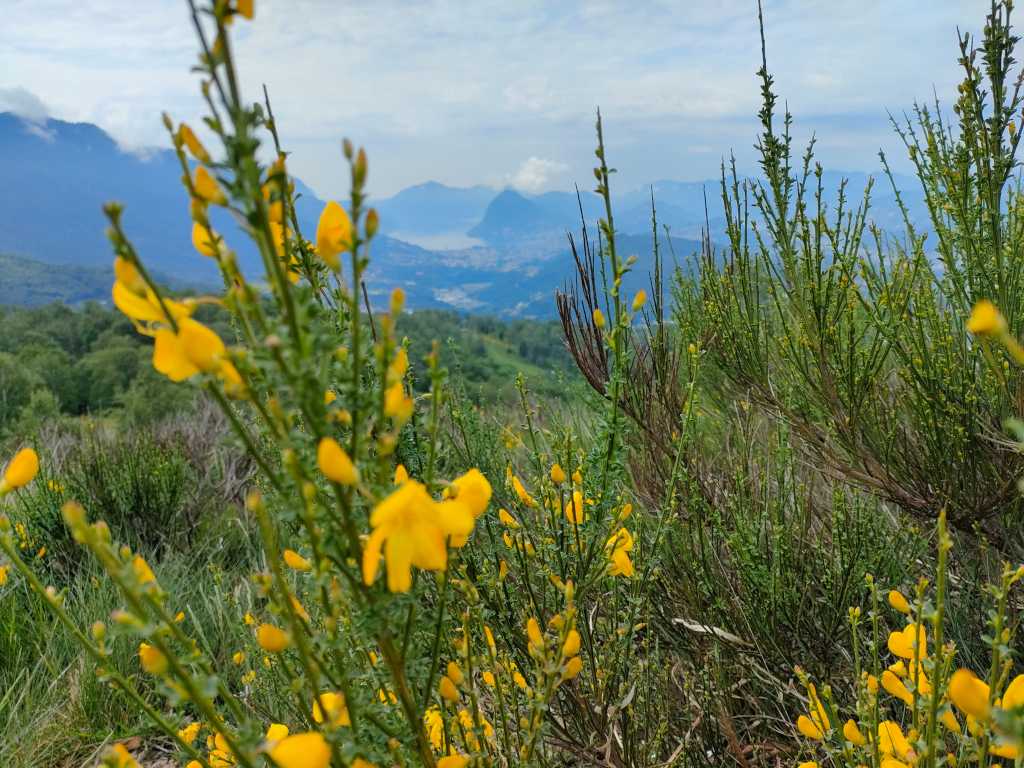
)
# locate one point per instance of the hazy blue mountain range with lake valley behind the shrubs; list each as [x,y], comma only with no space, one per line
[476,249]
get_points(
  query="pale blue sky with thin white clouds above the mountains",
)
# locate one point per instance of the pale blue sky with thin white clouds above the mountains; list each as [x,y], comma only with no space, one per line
[501,93]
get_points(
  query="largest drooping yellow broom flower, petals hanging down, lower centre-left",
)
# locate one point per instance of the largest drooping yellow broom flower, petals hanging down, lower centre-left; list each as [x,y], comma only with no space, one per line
[412,530]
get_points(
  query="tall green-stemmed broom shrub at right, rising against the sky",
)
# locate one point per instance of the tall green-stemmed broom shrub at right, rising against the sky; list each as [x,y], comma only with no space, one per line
[855,336]
